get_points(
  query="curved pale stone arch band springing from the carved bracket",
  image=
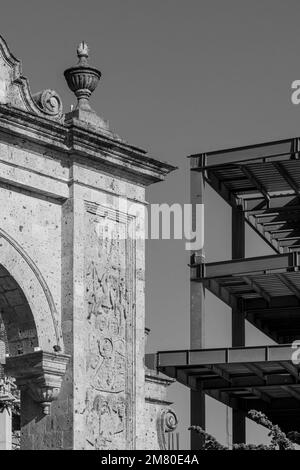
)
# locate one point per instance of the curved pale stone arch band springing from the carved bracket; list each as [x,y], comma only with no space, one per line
[28,310]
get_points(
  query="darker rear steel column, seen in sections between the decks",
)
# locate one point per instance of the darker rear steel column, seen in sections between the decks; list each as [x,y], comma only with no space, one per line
[238,318]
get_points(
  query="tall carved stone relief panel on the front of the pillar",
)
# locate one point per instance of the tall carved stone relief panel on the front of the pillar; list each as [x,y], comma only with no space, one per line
[110,303]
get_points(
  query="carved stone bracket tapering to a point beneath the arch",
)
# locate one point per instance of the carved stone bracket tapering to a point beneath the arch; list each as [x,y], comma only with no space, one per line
[40,373]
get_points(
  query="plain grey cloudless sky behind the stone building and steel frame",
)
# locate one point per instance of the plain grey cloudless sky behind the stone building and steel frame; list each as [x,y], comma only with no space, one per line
[179,77]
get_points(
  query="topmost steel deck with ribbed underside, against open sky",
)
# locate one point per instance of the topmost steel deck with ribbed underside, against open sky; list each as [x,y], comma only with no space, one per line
[265,180]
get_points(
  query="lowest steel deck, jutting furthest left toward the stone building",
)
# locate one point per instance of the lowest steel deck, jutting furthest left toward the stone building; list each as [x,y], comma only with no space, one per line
[263,378]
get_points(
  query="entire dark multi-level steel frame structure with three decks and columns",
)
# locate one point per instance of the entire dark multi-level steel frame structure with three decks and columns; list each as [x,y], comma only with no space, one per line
[261,183]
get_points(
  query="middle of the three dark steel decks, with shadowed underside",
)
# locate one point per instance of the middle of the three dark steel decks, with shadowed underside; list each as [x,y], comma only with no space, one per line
[265,289]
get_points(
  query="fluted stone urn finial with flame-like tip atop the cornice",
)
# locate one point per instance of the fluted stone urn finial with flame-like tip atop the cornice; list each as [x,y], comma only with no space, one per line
[82,79]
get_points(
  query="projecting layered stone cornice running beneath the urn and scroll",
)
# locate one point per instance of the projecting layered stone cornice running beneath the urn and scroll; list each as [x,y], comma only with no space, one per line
[86,145]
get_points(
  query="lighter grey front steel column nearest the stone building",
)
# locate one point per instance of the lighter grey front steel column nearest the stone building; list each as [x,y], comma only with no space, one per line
[197,310]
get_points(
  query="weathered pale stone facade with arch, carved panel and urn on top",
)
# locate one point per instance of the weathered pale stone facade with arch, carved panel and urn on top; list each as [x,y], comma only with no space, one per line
[72,269]
